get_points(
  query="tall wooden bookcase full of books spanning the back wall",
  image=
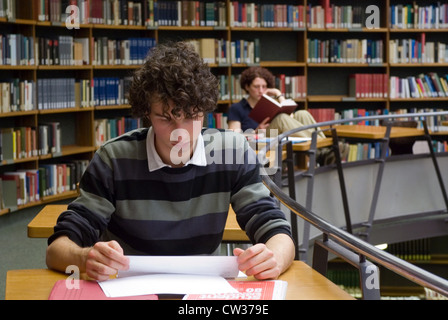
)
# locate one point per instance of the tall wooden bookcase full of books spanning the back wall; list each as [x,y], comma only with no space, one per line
[292,38]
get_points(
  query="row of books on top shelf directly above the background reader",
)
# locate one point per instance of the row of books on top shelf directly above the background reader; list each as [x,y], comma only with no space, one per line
[253,15]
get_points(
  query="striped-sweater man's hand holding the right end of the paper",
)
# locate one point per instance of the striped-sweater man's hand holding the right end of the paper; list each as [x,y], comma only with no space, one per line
[258,261]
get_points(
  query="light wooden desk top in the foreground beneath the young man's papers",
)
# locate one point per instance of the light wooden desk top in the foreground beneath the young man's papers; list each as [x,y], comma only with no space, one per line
[304,283]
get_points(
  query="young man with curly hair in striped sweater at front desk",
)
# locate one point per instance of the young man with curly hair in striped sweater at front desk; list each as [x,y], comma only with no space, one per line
[159,190]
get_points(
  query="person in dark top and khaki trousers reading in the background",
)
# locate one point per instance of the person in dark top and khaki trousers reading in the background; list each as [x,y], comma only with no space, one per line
[256,81]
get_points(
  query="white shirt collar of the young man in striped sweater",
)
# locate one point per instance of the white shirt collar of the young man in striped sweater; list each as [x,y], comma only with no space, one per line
[155,162]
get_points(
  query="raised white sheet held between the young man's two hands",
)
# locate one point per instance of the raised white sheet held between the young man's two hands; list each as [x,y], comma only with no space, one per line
[223,266]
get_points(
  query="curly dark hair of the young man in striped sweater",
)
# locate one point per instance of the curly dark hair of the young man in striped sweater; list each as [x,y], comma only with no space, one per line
[174,71]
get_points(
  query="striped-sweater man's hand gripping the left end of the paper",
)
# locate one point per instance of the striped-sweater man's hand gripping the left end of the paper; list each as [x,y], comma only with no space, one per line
[105,259]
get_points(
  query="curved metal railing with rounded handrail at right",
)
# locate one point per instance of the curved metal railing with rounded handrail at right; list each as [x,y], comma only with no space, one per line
[346,245]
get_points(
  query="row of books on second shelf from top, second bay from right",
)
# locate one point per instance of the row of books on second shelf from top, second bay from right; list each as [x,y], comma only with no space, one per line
[345,51]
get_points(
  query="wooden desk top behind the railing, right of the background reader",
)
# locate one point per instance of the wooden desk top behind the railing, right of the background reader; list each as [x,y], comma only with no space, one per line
[376,132]
